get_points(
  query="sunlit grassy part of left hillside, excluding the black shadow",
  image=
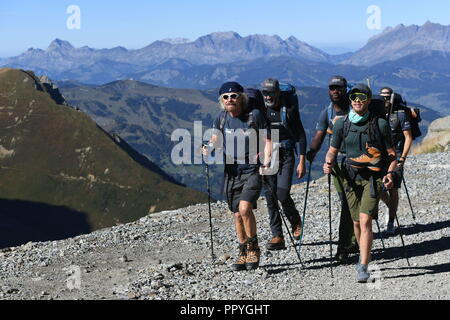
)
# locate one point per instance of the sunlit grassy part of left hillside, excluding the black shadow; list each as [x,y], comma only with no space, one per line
[61,157]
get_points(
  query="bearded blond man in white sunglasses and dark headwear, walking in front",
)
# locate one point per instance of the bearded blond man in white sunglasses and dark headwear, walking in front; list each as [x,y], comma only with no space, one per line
[235,127]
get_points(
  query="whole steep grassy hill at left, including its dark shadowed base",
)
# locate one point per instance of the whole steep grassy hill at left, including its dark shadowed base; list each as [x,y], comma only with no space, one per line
[62,175]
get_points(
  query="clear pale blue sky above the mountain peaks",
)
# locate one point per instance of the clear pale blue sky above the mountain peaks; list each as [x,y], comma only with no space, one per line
[136,23]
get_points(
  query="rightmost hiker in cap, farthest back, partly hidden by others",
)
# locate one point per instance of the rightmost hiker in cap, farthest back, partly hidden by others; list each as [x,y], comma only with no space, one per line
[402,137]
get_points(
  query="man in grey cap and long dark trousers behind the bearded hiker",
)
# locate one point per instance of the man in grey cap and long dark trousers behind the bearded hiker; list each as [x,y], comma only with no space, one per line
[286,119]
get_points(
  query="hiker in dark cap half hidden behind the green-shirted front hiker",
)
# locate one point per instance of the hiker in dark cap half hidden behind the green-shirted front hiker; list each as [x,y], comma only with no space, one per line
[338,108]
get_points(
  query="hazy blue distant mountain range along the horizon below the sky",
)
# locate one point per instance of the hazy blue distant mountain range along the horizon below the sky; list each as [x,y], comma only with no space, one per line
[413,60]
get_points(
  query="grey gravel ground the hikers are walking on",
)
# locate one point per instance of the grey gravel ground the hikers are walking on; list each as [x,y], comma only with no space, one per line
[166,256]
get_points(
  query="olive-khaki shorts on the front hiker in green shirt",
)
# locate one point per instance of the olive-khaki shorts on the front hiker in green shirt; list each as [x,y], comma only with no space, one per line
[360,200]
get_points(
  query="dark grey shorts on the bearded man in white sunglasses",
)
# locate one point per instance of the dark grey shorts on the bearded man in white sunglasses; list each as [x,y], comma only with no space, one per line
[243,187]
